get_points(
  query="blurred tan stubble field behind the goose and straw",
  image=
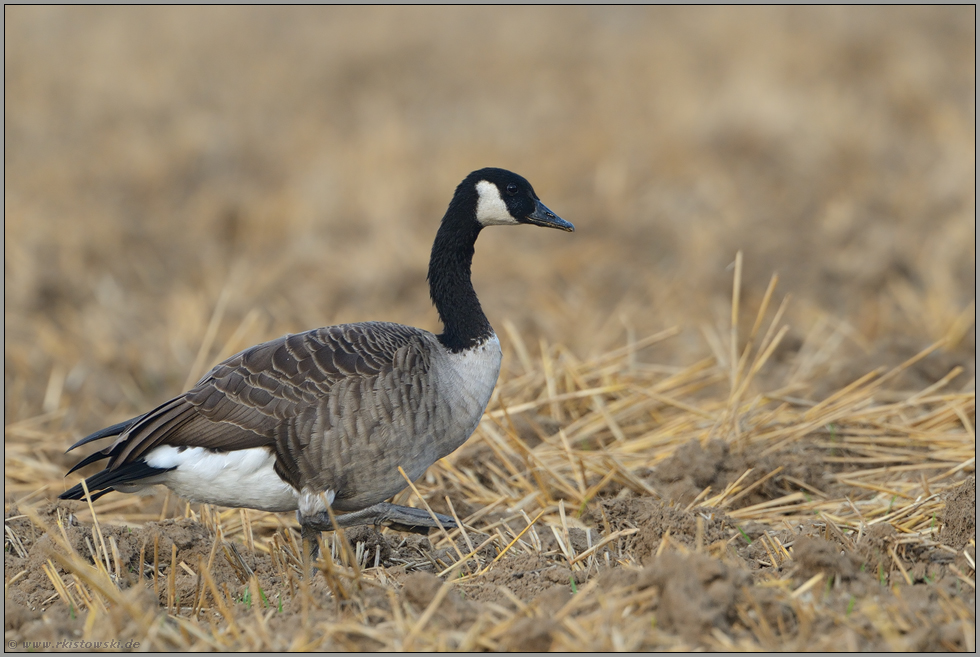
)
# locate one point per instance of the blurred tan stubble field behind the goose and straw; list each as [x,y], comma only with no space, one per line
[183,182]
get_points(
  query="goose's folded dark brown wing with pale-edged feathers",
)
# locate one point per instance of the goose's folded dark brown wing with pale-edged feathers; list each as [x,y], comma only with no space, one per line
[275,395]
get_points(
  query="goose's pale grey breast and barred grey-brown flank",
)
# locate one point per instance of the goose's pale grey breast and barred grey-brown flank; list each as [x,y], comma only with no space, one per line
[410,414]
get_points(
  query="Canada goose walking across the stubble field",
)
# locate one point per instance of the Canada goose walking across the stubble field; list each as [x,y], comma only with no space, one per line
[328,416]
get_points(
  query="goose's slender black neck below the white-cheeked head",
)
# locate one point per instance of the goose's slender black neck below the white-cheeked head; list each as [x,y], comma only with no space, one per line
[464,324]
